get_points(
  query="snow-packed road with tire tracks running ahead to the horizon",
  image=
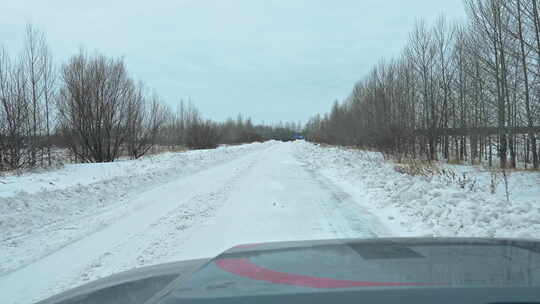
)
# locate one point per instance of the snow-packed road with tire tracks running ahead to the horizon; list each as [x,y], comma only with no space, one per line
[268,194]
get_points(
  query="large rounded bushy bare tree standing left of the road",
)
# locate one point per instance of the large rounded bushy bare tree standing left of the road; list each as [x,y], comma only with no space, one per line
[94,106]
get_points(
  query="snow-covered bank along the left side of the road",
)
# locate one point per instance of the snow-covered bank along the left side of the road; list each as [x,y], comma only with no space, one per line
[41,212]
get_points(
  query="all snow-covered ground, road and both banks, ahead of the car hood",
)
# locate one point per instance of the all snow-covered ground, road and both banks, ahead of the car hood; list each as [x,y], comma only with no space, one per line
[62,228]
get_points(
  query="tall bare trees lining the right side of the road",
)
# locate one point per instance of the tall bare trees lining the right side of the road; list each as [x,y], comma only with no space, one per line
[464,91]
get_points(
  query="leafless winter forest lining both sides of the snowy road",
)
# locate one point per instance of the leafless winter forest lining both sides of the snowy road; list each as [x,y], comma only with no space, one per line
[464,92]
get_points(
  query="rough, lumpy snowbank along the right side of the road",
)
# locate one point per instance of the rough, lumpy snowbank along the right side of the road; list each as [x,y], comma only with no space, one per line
[457,202]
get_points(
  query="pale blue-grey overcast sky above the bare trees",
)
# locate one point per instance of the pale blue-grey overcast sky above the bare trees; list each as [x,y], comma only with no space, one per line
[269,59]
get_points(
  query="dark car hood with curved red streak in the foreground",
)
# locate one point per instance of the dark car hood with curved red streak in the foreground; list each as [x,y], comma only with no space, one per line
[337,271]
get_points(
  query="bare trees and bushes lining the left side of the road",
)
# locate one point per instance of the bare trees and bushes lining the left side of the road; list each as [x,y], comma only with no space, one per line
[91,106]
